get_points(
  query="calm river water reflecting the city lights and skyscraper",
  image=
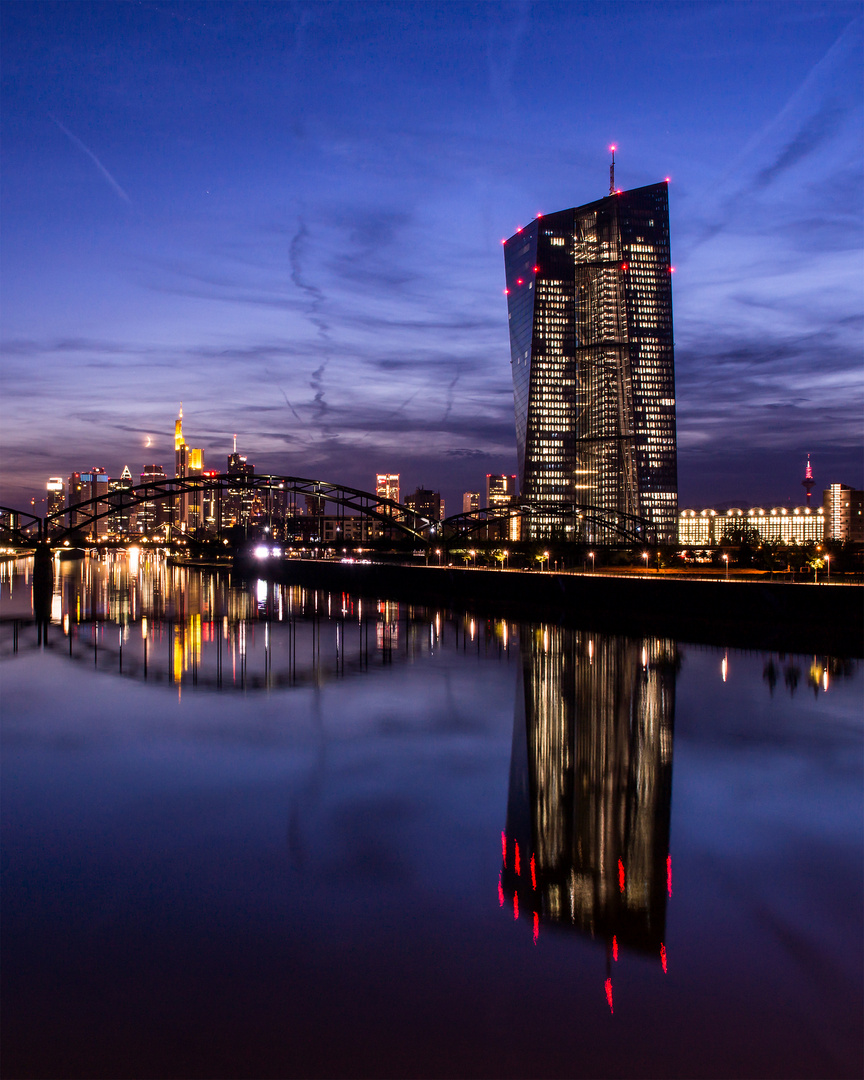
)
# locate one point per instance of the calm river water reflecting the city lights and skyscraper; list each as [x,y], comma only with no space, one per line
[256,831]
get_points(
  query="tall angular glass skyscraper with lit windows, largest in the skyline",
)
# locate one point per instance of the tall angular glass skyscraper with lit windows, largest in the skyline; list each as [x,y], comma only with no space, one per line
[590,309]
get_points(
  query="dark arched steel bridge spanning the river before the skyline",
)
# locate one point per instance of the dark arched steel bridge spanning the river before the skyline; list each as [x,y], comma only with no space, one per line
[571,522]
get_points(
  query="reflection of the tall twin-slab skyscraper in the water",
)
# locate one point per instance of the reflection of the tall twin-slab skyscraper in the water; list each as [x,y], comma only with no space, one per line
[591,786]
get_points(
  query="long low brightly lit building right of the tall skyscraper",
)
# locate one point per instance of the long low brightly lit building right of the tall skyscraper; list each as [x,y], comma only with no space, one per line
[707,529]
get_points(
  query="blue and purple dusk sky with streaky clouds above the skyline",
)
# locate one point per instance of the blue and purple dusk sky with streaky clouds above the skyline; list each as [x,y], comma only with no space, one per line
[290,218]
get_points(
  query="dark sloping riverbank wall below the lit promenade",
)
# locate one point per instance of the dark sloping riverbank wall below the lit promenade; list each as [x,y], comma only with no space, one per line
[741,614]
